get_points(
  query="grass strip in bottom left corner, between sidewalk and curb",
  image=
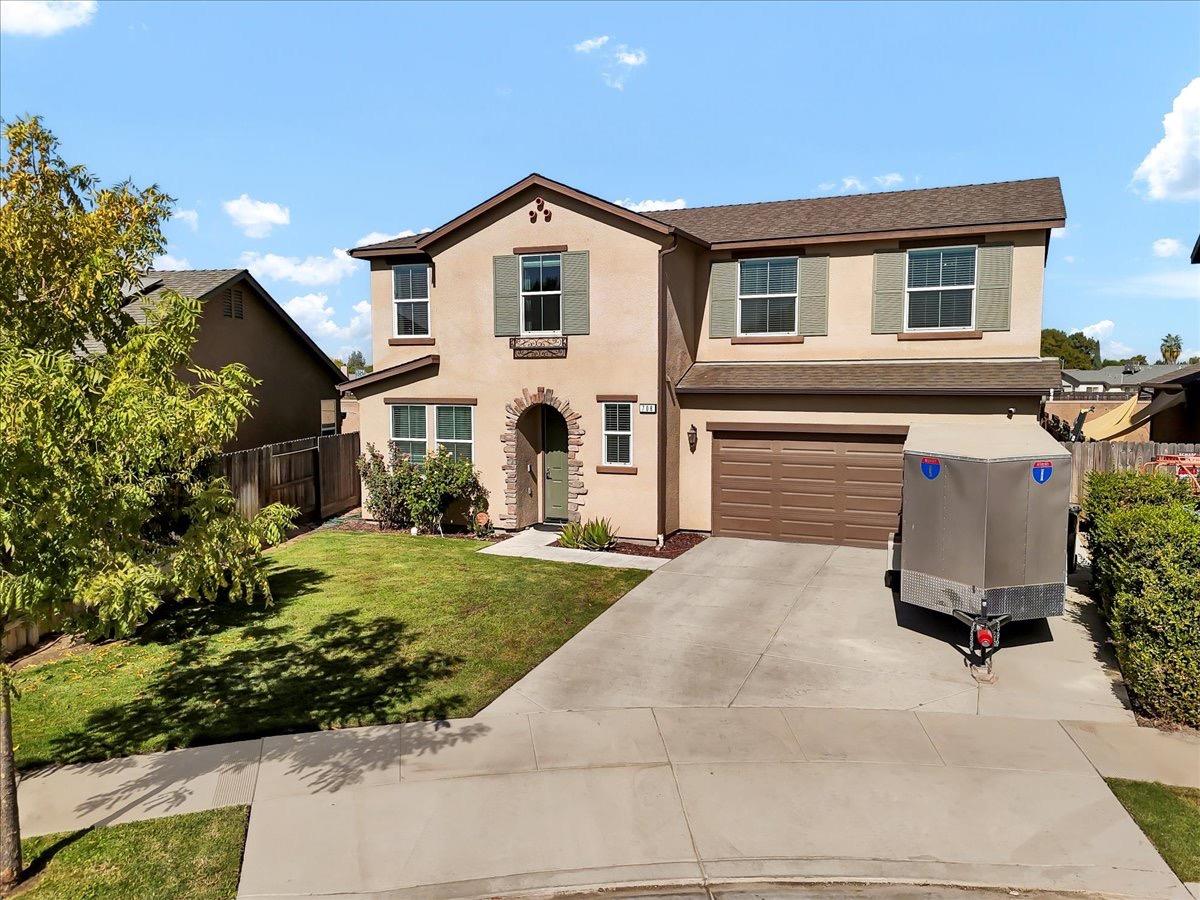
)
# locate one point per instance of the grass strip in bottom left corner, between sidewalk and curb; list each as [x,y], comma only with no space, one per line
[197,856]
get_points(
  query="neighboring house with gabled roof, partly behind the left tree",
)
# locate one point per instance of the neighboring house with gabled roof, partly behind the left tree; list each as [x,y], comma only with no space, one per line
[242,323]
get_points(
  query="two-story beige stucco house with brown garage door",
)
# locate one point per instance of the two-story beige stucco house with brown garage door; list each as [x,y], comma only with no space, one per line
[748,370]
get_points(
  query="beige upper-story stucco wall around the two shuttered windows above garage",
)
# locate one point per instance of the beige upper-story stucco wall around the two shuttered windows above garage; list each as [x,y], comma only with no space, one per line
[851,272]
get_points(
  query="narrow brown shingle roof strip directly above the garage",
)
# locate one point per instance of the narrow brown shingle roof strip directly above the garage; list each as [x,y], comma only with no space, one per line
[1029,376]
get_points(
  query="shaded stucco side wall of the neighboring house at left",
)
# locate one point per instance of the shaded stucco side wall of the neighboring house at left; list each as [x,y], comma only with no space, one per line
[293,381]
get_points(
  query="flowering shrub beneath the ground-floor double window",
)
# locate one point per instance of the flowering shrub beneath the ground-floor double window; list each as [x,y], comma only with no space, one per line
[401,494]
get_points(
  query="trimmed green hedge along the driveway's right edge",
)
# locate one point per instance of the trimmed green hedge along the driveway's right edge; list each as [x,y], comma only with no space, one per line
[1145,544]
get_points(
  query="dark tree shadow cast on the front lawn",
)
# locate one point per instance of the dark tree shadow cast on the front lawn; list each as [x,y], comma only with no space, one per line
[347,670]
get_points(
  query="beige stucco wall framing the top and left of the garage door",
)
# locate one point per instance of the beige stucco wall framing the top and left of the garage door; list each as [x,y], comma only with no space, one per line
[695,469]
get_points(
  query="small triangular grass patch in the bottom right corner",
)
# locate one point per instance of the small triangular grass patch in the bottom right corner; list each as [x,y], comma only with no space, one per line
[1171,818]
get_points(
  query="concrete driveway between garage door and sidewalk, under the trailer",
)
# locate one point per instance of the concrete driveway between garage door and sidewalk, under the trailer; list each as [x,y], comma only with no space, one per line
[765,625]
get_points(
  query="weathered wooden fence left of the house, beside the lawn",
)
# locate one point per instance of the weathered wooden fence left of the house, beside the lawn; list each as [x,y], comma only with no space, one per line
[316,476]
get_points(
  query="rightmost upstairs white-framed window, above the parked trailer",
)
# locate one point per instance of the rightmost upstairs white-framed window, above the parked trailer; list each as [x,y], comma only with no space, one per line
[940,293]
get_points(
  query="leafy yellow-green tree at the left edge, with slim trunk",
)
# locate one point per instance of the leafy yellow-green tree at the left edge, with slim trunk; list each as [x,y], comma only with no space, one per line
[110,503]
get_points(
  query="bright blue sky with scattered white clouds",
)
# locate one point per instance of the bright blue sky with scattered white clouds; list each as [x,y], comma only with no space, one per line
[290,131]
